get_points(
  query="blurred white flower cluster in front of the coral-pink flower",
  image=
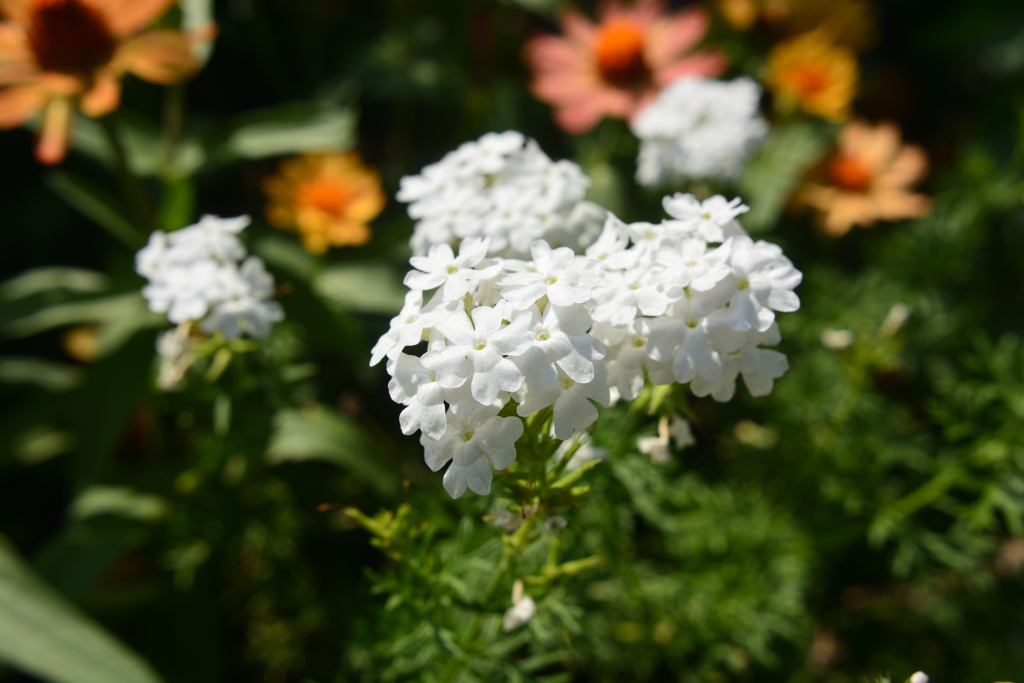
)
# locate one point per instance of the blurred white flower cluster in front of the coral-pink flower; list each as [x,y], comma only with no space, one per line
[699,129]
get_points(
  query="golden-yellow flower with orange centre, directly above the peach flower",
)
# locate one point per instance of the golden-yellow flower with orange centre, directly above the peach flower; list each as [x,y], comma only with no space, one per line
[815,73]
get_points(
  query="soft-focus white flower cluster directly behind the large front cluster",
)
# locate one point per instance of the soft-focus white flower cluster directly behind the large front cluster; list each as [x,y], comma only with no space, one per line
[502,187]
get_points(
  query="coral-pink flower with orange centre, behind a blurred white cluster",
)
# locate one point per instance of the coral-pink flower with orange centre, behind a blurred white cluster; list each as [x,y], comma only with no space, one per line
[618,67]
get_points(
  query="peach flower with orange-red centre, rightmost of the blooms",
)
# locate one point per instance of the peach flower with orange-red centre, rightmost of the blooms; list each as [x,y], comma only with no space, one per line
[868,180]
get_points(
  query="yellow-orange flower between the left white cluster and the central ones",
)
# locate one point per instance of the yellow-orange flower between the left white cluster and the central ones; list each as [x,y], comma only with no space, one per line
[328,199]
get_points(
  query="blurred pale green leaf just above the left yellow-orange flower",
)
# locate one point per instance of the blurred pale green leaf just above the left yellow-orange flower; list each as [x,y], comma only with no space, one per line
[289,130]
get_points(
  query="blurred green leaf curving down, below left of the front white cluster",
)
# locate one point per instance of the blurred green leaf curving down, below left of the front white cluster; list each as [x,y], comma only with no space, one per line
[320,434]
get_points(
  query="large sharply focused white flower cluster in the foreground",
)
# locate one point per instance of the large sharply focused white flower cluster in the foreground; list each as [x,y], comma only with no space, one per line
[565,330]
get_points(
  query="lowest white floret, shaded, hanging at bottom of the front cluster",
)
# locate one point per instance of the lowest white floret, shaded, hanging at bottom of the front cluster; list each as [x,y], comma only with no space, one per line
[474,446]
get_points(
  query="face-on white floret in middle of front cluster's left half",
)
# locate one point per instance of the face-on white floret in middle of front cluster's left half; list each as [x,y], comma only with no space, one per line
[478,351]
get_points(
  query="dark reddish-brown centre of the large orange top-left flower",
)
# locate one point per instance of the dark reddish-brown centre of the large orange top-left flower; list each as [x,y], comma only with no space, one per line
[69,36]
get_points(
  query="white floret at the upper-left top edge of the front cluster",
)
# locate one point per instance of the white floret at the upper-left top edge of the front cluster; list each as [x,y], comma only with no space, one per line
[454,275]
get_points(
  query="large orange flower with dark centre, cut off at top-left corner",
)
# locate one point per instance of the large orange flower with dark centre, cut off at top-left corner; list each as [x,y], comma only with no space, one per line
[57,53]
